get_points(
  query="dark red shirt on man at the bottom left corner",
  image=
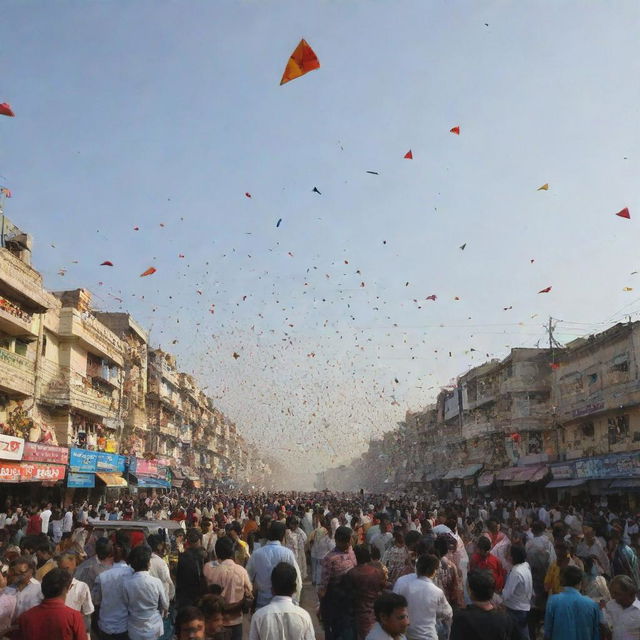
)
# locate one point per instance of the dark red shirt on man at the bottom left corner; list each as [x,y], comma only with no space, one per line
[52,619]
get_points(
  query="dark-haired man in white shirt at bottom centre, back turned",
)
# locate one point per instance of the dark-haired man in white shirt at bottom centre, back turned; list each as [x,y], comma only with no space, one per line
[281,619]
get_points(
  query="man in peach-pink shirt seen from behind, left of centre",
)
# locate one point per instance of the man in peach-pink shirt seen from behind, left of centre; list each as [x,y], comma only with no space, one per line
[235,583]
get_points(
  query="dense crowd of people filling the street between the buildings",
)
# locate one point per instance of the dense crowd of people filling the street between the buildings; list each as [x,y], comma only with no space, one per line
[415,567]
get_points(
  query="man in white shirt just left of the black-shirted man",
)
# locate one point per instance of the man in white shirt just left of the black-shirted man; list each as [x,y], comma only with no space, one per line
[426,602]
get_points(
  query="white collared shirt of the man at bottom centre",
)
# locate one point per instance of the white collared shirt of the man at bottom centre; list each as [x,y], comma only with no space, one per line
[281,619]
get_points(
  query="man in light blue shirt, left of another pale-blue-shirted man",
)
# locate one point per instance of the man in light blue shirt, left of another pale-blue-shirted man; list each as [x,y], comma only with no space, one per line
[108,595]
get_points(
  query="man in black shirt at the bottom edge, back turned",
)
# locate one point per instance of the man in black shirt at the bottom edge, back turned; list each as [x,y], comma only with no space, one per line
[481,620]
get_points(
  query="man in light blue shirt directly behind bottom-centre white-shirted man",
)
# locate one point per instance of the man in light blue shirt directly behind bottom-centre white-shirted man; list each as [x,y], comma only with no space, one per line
[264,560]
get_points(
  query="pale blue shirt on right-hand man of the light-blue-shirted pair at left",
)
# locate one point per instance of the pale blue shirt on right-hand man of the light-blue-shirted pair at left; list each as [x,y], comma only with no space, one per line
[145,597]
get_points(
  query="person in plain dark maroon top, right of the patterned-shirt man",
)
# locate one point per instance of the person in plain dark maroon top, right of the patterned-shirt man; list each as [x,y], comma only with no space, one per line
[364,583]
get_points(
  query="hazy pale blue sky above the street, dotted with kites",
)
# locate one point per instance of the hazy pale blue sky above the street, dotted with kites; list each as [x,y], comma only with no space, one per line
[162,115]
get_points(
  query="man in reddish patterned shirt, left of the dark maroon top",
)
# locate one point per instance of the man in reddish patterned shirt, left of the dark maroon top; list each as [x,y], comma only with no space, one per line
[334,603]
